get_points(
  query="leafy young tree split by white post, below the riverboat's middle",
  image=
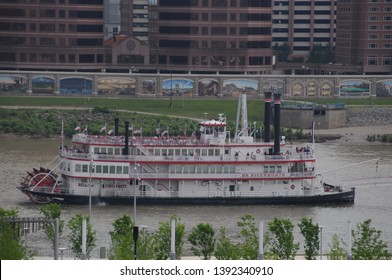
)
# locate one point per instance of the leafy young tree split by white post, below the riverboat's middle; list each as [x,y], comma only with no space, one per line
[162,239]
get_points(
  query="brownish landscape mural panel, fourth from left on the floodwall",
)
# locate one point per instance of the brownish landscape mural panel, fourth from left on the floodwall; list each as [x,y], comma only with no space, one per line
[116,86]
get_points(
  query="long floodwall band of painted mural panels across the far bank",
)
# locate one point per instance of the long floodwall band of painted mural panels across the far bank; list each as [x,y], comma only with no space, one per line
[103,85]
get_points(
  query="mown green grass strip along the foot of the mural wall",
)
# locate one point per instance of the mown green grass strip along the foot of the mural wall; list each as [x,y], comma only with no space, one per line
[193,108]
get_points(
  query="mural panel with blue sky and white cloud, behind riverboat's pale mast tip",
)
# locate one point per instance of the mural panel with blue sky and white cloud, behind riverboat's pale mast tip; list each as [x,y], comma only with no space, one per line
[235,87]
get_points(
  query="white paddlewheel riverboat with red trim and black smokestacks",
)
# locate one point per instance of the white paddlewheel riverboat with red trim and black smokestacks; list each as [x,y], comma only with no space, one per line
[211,167]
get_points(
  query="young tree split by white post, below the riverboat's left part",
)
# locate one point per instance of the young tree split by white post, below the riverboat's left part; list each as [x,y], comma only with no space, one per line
[75,236]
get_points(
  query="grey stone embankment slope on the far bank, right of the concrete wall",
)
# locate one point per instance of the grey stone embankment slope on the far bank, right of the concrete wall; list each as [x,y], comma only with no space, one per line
[368,116]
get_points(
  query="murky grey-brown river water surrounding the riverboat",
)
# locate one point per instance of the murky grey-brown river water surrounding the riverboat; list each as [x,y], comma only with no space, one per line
[373,182]
